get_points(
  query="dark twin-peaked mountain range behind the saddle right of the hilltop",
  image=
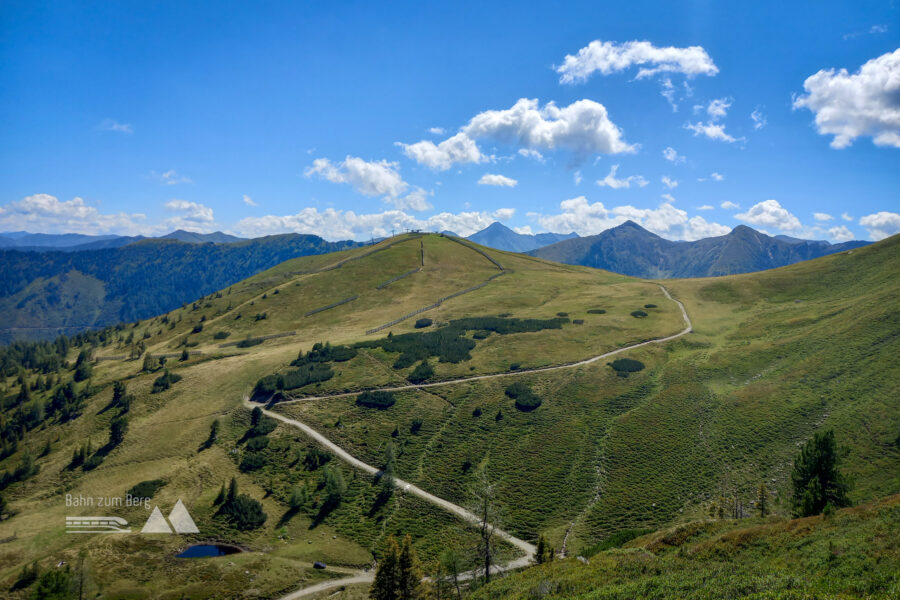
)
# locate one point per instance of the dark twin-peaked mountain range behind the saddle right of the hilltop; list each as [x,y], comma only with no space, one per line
[630,249]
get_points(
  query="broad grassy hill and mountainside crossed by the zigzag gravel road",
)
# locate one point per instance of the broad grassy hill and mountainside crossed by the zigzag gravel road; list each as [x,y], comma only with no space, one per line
[774,356]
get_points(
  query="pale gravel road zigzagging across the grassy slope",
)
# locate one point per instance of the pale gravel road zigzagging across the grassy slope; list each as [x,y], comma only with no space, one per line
[404,486]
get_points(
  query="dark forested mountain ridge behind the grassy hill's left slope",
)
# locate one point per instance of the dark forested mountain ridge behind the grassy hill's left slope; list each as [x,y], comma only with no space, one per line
[43,294]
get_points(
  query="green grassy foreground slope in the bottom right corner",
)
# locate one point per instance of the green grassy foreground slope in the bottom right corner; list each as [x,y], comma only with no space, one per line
[853,554]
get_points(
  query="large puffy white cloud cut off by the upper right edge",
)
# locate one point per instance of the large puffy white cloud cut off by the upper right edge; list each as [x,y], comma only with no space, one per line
[865,103]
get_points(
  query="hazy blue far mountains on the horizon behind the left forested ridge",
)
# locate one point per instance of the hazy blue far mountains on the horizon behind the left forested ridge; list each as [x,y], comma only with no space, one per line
[74,242]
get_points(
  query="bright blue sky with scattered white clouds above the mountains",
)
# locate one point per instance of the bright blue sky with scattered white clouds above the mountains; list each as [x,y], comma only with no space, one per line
[350,119]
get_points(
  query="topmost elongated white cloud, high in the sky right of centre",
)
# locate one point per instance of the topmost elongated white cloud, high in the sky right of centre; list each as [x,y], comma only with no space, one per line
[612,57]
